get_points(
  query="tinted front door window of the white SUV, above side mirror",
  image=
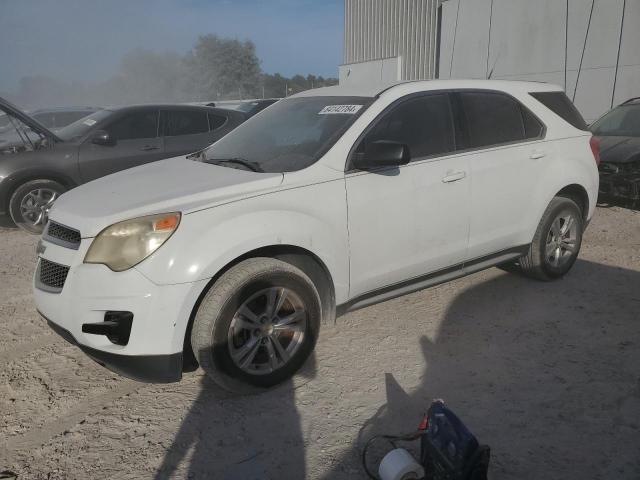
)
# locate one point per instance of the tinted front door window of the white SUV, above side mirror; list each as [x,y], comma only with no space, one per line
[424,124]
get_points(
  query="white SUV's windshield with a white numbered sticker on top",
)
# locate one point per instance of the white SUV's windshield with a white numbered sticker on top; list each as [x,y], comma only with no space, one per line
[288,136]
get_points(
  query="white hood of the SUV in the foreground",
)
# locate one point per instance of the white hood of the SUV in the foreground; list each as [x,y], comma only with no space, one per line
[173,185]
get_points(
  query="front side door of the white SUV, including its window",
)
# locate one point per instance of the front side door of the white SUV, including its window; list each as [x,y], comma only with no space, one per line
[413,220]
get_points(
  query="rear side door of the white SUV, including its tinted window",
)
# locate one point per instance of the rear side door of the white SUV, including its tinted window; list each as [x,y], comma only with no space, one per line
[506,154]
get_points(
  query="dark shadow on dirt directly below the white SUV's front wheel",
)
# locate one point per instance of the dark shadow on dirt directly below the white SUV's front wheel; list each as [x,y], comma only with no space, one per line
[228,437]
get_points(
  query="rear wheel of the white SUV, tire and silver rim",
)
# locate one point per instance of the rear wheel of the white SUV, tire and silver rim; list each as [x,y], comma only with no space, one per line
[557,241]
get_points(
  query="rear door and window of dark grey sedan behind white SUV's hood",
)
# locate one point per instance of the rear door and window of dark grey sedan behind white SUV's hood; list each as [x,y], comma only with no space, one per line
[190,130]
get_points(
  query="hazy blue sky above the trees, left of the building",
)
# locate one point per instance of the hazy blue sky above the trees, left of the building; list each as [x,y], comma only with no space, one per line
[85,40]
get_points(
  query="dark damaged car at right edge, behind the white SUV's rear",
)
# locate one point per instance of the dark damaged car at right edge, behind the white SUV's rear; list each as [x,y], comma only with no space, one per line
[619,134]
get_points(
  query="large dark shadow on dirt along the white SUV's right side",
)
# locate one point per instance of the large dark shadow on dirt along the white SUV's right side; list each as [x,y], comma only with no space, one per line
[545,373]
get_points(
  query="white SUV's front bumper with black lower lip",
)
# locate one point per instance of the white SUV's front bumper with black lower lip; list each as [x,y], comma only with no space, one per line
[153,351]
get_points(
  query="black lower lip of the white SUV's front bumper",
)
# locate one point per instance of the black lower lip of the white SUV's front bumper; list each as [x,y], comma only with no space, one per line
[144,368]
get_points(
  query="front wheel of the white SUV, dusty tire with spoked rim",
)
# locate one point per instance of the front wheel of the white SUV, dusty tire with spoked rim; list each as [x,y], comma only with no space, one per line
[224,340]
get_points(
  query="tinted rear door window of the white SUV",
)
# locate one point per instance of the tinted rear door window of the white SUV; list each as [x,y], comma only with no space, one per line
[494,118]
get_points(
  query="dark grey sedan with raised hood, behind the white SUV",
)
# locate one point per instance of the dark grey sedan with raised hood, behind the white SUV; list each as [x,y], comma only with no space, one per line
[36,171]
